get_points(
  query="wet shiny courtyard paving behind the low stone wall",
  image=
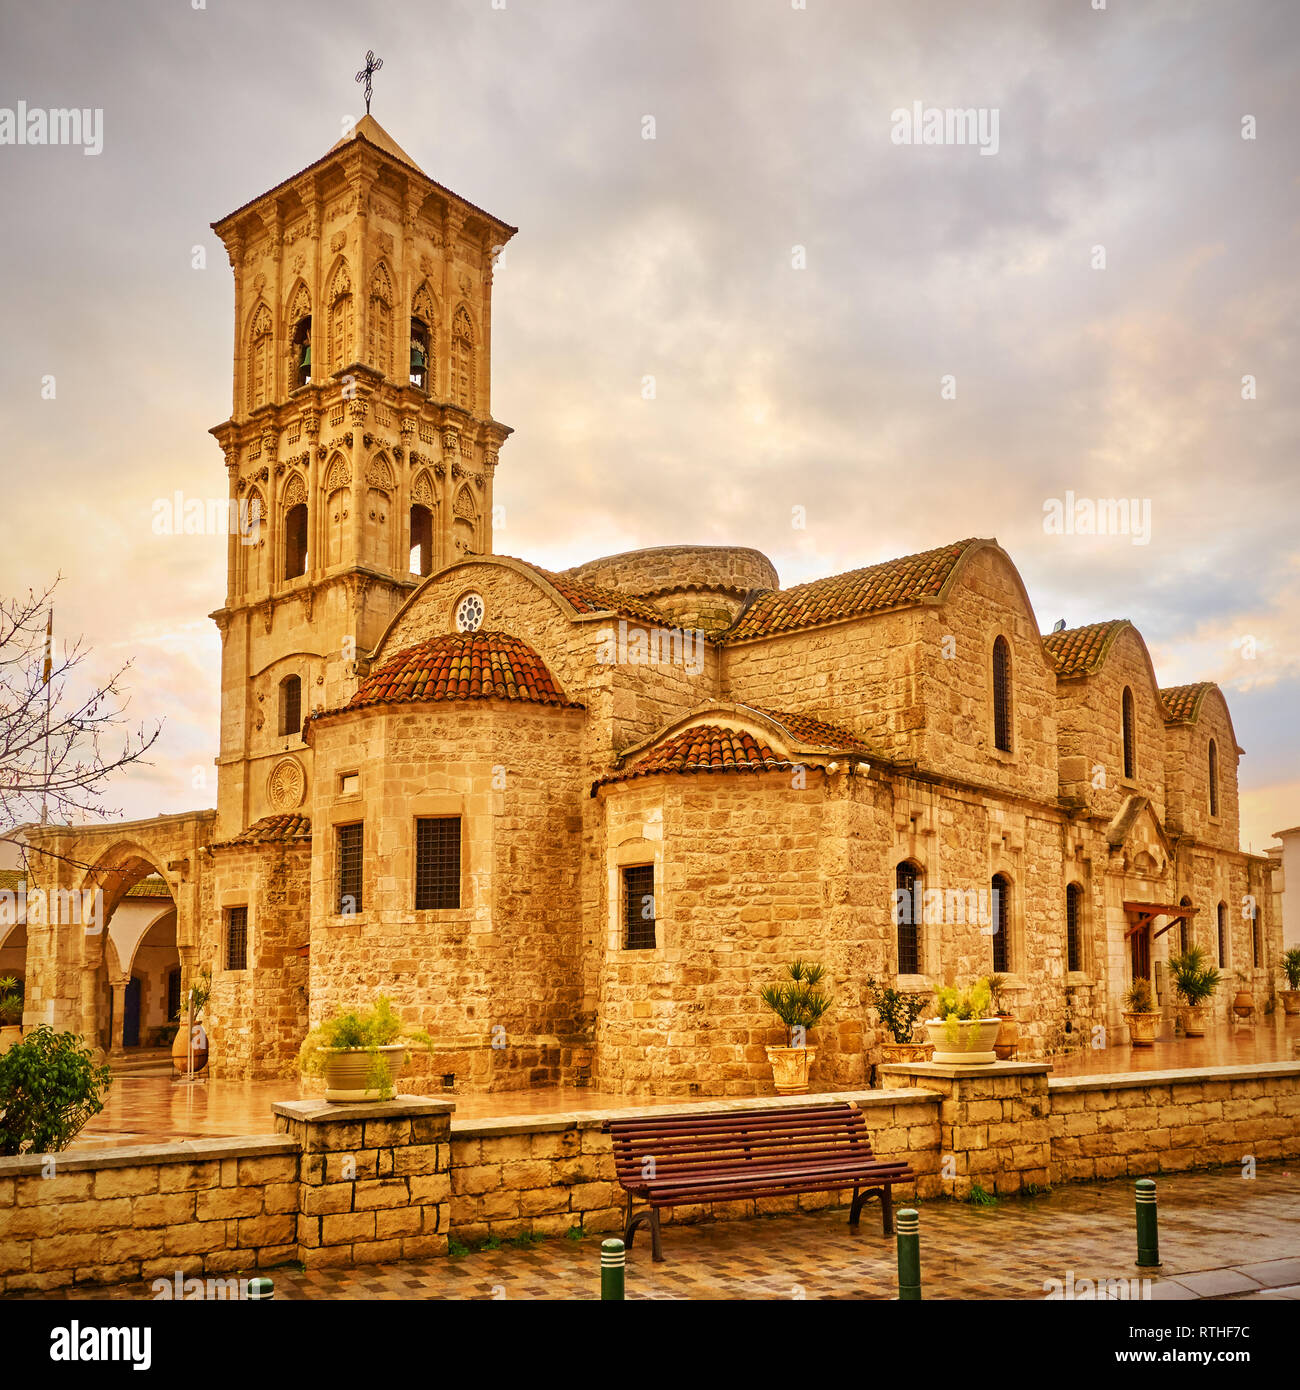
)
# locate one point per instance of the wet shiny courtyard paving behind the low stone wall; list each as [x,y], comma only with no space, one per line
[145,1109]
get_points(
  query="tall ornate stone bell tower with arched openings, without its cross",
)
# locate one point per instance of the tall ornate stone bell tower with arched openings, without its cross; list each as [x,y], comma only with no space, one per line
[361,445]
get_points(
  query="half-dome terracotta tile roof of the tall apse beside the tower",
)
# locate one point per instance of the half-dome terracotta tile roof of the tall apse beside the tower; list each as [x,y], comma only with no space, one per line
[462,667]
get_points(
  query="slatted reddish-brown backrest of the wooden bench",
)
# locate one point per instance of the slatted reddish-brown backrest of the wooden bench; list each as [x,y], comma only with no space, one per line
[715,1143]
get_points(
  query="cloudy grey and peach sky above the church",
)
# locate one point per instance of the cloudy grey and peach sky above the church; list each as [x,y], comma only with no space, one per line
[783,380]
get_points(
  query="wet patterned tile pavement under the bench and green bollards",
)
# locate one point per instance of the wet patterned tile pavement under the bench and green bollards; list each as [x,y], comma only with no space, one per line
[1221,1236]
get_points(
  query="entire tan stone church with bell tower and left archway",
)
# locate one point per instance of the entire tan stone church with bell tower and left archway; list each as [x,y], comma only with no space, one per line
[574,822]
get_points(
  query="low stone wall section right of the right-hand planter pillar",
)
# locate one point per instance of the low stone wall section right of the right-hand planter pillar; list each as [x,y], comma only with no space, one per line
[1167,1122]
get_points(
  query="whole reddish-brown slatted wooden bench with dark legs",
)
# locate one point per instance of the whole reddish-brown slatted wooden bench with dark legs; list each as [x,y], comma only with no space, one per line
[679,1160]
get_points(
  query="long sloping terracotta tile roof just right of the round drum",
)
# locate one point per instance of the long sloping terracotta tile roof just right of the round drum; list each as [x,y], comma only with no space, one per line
[879,587]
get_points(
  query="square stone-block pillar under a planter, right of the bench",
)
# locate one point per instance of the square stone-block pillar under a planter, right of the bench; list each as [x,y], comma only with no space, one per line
[993,1122]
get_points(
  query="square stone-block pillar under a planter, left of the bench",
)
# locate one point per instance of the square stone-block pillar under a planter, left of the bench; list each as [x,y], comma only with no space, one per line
[375,1179]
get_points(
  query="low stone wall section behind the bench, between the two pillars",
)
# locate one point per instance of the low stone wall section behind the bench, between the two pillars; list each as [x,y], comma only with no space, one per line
[550,1175]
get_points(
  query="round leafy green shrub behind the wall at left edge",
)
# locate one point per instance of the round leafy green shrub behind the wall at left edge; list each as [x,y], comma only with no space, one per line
[49,1089]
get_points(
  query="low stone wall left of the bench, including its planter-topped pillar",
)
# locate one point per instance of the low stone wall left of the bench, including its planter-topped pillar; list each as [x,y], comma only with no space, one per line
[339,1186]
